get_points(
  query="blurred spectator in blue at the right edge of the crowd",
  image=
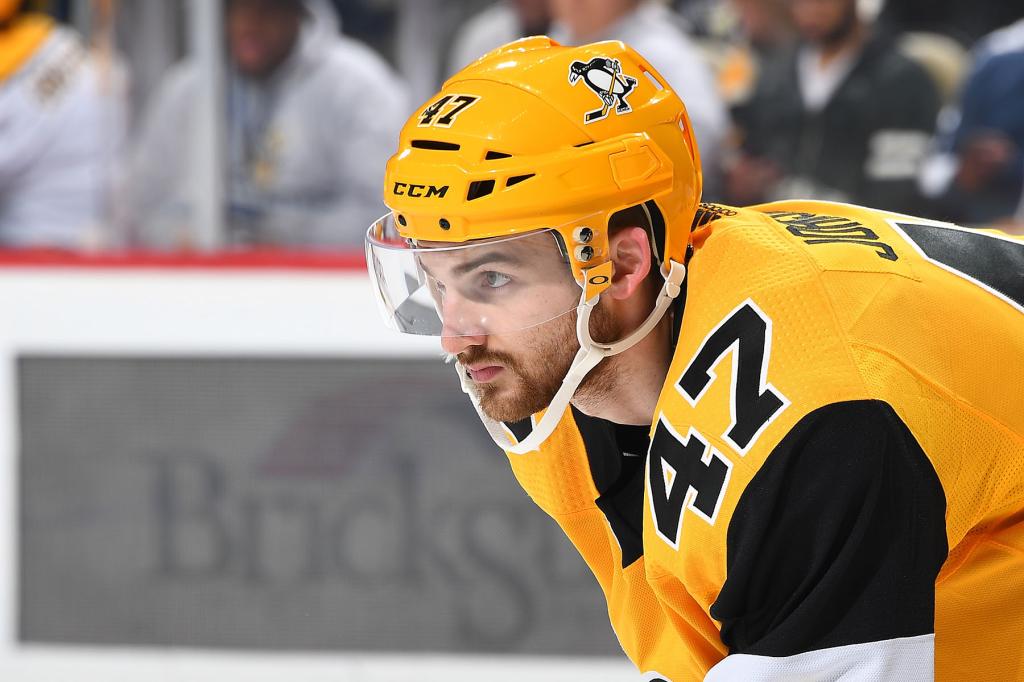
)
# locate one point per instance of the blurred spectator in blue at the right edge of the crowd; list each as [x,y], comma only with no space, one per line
[978,172]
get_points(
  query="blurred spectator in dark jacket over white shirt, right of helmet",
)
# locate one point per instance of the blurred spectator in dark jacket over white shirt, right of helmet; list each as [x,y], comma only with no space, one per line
[843,117]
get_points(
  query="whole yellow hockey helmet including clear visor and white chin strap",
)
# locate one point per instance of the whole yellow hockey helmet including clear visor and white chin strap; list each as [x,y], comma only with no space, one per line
[533,147]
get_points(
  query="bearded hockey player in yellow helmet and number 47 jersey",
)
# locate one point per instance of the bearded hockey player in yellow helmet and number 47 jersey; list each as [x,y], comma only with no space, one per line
[788,440]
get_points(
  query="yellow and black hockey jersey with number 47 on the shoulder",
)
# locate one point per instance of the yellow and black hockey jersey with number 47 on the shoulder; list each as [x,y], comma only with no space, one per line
[835,477]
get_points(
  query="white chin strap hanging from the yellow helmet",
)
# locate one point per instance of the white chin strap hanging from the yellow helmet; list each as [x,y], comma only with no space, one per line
[587,358]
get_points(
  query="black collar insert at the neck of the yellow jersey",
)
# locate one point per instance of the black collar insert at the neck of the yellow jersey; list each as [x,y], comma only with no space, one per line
[619,481]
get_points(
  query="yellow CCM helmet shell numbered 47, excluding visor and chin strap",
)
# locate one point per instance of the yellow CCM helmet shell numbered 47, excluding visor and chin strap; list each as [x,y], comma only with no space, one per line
[537,136]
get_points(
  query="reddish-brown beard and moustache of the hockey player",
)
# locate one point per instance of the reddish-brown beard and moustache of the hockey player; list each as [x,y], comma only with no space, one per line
[535,374]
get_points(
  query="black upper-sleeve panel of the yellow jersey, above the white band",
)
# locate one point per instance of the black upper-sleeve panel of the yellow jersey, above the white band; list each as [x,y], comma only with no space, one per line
[837,540]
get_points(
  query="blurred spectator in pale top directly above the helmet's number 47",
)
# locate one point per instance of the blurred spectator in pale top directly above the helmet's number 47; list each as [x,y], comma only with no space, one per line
[500,24]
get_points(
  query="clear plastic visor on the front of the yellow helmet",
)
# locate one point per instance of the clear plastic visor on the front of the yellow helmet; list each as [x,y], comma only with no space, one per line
[480,288]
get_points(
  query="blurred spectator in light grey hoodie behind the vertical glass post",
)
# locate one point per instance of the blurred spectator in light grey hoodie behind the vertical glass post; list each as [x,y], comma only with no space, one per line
[312,118]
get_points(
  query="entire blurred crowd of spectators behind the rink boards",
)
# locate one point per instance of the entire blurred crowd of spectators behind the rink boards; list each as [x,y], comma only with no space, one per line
[198,124]
